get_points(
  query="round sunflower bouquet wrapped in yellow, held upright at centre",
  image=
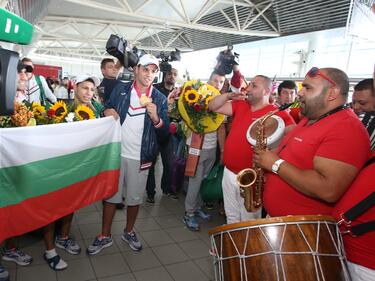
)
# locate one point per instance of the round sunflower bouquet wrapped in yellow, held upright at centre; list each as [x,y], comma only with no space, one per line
[193,107]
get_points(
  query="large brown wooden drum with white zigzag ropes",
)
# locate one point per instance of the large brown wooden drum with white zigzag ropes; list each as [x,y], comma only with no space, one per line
[292,248]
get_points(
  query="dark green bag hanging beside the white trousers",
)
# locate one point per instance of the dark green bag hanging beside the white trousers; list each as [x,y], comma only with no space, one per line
[211,187]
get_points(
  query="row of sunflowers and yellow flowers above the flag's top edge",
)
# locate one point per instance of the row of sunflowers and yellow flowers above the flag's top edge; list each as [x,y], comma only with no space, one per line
[31,114]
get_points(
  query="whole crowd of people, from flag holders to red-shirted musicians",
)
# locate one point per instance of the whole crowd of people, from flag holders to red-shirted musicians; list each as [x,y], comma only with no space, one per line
[323,164]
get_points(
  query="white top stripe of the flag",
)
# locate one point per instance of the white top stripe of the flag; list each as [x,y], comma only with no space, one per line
[28,144]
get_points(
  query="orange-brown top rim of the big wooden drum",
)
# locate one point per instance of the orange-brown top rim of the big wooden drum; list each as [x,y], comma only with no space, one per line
[286,219]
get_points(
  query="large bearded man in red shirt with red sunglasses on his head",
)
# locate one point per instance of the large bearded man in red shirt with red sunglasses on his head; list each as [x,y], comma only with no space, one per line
[317,161]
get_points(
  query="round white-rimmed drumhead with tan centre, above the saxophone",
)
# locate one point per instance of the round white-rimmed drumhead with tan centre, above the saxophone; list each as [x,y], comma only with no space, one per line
[274,129]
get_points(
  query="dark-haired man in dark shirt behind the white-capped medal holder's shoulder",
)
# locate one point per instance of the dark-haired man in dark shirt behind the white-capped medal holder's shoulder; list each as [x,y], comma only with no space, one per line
[110,71]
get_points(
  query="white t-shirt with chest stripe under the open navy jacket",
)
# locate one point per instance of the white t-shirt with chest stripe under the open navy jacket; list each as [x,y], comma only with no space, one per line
[132,128]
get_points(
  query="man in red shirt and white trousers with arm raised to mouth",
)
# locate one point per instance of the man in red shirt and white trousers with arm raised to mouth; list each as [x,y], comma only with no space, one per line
[238,153]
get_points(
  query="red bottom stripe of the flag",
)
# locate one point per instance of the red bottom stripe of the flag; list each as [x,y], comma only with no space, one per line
[39,211]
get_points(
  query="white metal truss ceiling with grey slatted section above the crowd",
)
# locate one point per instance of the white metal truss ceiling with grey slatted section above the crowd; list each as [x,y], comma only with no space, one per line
[213,23]
